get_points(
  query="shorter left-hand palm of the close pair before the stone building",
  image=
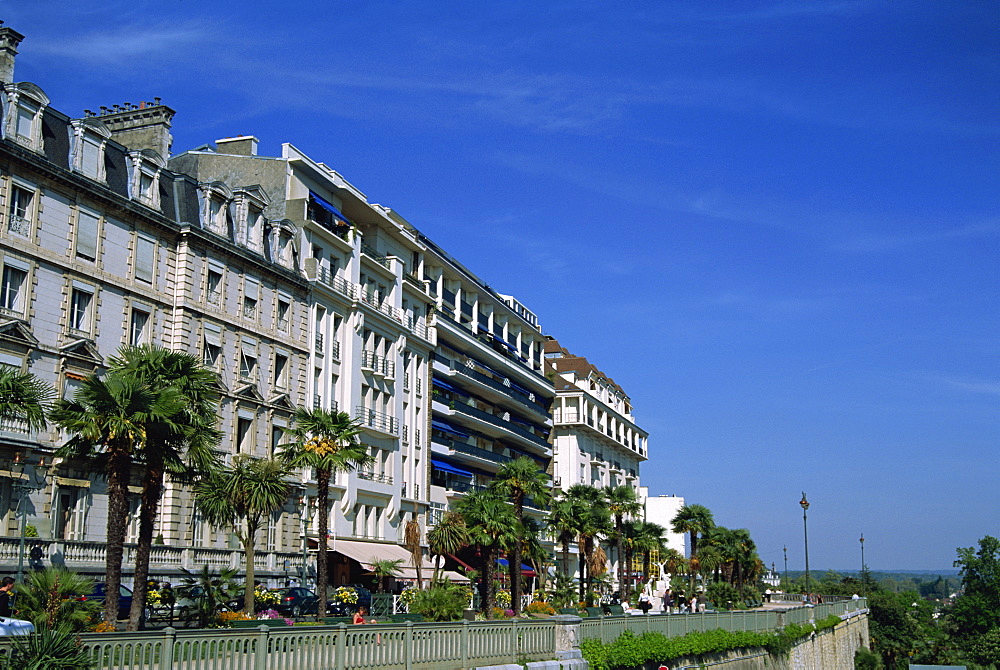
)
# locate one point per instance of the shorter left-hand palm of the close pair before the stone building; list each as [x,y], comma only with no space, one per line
[110,420]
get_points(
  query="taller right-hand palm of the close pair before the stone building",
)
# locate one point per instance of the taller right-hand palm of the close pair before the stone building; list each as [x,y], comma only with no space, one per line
[184,447]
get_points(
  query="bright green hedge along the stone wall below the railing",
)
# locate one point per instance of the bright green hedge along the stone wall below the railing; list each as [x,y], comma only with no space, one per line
[630,650]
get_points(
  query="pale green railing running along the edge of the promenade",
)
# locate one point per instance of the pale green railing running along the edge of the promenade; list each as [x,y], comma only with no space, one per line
[400,646]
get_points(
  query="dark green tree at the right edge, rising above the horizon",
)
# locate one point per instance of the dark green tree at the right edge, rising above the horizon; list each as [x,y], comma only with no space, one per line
[976,611]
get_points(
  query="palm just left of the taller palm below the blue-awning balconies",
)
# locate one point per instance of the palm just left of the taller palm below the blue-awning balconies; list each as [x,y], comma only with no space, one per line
[492,526]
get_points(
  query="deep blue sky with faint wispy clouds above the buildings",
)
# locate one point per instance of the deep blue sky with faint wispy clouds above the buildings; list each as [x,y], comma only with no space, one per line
[774,224]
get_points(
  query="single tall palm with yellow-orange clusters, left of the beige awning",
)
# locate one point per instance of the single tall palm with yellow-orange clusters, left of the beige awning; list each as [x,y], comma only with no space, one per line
[327,442]
